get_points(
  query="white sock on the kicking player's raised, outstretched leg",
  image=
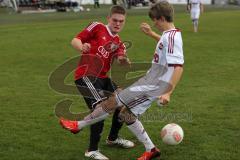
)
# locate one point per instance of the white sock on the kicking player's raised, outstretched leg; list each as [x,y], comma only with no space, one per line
[96,116]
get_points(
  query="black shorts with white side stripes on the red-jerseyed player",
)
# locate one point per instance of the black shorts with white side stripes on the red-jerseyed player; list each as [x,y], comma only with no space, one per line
[95,90]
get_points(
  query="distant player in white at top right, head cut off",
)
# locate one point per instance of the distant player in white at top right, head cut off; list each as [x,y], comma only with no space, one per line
[195,7]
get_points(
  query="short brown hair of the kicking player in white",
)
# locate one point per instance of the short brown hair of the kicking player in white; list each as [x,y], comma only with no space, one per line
[162,9]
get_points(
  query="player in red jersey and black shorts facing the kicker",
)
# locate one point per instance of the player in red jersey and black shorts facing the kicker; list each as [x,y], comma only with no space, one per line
[99,45]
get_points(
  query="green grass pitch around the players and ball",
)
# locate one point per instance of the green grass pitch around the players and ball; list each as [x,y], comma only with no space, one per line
[205,103]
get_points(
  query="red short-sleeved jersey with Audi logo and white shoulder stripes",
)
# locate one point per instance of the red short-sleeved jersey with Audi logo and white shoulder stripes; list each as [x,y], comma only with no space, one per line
[104,48]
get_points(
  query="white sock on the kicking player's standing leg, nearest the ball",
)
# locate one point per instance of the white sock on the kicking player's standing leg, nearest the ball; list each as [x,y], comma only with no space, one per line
[139,131]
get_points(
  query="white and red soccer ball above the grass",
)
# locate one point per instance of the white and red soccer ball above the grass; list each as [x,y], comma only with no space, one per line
[172,134]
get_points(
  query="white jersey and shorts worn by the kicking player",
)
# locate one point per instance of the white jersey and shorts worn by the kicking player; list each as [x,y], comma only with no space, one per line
[143,92]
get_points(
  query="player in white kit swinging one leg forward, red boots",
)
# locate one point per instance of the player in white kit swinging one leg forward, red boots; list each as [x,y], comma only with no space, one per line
[164,74]
